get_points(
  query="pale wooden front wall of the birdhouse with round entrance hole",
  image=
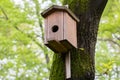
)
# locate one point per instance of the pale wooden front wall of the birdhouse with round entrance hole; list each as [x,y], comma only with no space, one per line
[54,26]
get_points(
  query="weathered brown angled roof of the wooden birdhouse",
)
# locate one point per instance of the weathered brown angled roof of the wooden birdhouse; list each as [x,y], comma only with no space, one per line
[54,8]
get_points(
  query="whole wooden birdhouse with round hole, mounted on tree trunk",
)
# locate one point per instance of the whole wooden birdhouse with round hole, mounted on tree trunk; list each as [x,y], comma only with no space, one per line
[60,28]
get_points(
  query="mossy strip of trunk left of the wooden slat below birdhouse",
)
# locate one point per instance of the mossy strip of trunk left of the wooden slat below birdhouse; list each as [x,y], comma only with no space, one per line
[58,67]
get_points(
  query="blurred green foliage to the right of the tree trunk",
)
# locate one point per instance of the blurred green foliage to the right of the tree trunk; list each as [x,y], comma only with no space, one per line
[108,45]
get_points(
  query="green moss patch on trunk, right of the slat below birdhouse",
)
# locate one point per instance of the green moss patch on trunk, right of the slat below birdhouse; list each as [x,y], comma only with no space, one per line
[81,67]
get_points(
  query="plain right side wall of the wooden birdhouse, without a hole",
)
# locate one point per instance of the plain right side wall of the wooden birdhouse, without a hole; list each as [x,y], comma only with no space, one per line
[70,29]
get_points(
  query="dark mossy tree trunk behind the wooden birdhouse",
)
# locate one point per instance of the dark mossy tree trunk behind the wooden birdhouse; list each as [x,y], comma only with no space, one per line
[82,59]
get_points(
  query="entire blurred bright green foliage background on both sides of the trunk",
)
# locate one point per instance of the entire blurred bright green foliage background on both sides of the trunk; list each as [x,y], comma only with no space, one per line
[23,55]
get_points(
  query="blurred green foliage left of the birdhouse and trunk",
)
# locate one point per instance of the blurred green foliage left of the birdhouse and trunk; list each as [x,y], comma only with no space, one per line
[21,47]
